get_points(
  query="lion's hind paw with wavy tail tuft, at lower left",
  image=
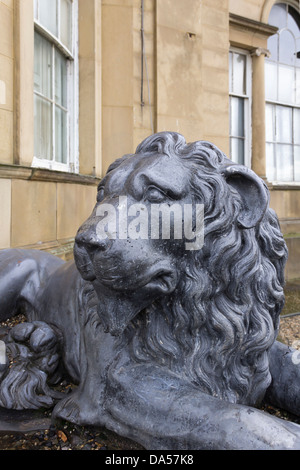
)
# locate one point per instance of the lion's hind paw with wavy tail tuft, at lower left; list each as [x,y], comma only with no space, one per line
[33,364]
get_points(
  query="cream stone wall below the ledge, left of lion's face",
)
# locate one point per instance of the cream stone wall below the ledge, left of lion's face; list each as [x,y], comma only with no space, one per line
[43,215]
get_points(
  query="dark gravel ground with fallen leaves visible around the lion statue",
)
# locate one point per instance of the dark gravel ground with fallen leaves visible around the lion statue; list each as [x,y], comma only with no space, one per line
[36,431]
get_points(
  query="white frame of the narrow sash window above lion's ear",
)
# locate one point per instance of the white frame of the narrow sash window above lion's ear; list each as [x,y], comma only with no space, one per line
[247,99]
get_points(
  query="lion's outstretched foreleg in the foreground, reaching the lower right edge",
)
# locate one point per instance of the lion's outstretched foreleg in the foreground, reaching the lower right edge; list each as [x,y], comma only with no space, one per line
[161,411]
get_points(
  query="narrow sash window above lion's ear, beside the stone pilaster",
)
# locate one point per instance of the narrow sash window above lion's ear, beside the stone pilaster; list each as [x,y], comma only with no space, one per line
[240,106]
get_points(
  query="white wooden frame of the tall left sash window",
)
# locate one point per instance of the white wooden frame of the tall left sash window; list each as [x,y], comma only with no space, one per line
[71,56]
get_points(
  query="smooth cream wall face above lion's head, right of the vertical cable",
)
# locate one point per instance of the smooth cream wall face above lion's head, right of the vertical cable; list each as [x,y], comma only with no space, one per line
[179,76]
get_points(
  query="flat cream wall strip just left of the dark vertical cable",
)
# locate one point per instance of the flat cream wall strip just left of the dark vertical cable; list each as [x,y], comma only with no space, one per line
[117,79]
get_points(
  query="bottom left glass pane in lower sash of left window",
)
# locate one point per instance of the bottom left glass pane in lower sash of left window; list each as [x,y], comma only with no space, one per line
[42,128]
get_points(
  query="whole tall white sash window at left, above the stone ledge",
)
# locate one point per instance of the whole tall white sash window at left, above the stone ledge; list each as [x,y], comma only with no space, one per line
[55,84]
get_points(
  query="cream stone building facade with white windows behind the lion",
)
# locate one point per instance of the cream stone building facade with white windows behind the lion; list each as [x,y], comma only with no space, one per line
[82,82]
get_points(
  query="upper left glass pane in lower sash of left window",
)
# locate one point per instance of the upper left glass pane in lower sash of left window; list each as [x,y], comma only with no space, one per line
[42,66]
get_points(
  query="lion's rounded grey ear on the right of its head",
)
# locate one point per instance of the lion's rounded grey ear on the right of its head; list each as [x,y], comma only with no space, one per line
[253,192]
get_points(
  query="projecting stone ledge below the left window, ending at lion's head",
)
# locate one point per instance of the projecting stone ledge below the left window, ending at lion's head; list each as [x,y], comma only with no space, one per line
[42,174]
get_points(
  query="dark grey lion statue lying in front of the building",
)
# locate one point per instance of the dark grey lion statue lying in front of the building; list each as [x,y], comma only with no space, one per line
[170,344]
